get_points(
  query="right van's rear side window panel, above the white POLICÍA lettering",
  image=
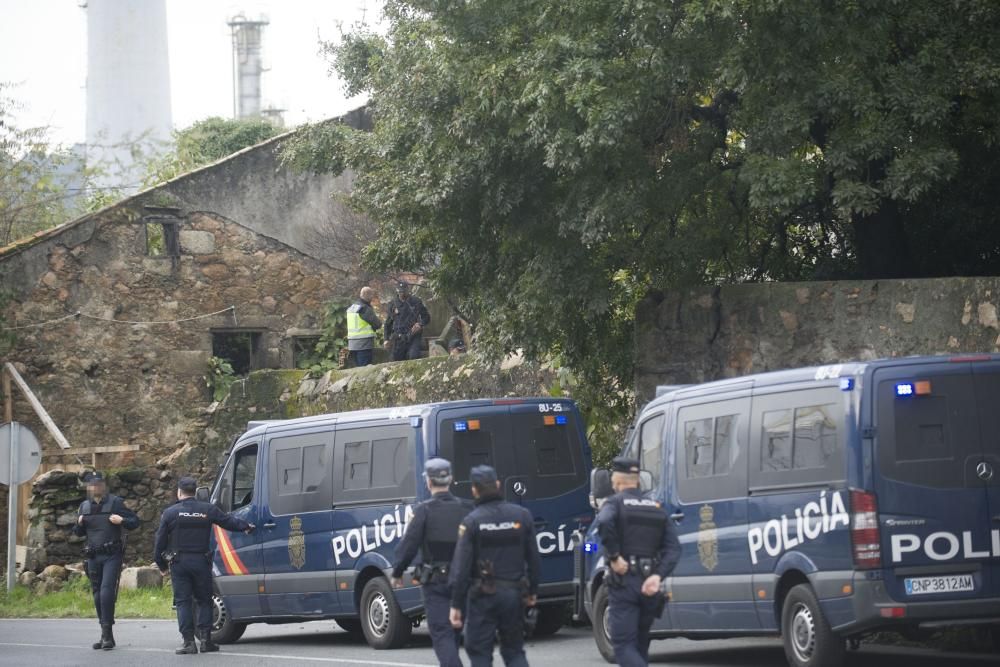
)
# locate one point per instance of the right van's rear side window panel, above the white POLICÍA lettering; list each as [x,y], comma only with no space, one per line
[798,438]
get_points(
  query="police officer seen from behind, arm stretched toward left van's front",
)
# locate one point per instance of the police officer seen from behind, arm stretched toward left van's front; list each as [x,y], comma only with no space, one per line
[183,541]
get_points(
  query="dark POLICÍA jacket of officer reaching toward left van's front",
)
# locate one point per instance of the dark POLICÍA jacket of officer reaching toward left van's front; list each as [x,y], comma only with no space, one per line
[186,527]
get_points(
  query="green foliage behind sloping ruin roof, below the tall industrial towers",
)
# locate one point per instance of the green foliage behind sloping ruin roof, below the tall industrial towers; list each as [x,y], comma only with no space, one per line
[207,141]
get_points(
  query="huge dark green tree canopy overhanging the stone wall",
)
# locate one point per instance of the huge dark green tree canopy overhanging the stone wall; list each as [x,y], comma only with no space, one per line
[547,162]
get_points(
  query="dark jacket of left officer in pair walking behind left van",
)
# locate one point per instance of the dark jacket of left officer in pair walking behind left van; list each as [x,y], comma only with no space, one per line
[432,531]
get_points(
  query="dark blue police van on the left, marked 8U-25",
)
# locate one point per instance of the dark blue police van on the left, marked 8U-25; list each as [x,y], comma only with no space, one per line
[331,496]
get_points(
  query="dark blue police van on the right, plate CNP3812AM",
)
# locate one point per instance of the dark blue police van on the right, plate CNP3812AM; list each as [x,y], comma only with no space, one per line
[823,504]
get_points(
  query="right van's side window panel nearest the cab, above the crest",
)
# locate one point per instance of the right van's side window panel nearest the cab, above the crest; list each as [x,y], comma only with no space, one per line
[711,450]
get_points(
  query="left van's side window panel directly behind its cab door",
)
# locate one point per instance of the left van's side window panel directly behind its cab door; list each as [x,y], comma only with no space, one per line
[300,473]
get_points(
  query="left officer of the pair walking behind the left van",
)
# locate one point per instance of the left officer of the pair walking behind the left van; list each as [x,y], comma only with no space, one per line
[433,531]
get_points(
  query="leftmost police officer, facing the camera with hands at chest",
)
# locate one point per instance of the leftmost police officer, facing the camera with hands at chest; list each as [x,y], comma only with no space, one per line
[104,519]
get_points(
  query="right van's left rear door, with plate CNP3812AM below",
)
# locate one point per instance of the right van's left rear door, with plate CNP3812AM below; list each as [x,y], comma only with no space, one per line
[933,507]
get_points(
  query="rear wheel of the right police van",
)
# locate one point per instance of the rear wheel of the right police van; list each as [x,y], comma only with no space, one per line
[808,639]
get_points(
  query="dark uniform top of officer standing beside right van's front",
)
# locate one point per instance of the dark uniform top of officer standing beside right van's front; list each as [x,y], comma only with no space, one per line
[630,524]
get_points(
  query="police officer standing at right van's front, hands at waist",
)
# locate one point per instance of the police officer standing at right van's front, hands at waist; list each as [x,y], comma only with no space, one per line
[641,547]
